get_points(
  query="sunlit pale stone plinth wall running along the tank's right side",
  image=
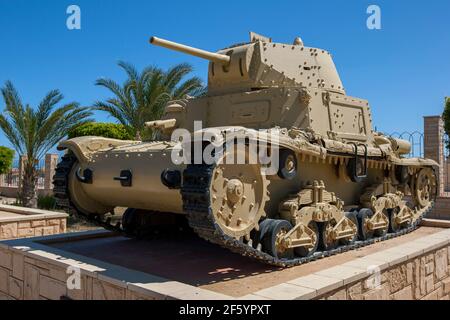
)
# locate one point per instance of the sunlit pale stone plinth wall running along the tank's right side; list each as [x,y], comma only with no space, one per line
[418,269]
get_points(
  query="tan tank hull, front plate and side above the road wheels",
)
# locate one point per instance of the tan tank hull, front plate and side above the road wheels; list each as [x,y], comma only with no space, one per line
[147,161]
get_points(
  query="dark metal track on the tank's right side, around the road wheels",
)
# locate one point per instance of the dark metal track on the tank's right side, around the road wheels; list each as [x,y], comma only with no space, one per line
[196,195]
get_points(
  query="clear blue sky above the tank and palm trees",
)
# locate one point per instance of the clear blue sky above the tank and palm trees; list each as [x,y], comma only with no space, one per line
[402,69]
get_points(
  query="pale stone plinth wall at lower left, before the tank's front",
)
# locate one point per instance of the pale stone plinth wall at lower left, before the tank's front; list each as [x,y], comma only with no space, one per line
[32,270]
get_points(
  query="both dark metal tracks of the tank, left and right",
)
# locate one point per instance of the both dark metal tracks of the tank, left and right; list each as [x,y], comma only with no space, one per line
[195,194]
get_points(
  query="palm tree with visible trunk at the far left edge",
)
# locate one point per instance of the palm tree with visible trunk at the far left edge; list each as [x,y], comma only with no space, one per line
[33,132]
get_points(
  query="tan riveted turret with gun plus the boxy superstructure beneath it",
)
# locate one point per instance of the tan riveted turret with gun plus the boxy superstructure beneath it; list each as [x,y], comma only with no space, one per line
[263,84]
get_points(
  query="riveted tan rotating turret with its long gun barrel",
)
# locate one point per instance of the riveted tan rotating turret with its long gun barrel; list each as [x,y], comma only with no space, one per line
[262,63]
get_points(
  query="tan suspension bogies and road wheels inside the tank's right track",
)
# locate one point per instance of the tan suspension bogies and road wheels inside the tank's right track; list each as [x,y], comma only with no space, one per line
[317,220]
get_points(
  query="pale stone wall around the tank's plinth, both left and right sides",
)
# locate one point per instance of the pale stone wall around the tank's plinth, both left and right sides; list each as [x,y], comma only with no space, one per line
[417,269]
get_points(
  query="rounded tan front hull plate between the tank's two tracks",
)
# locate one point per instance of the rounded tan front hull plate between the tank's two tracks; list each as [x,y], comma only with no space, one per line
[145,162]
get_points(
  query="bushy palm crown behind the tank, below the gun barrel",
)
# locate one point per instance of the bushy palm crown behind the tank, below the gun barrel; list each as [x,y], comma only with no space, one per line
[144,94]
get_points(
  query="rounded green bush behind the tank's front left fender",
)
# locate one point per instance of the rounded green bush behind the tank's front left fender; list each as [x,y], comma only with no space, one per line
[101,129]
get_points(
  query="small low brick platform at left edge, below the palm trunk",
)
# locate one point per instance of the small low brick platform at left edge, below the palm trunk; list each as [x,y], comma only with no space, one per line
[18,222]
